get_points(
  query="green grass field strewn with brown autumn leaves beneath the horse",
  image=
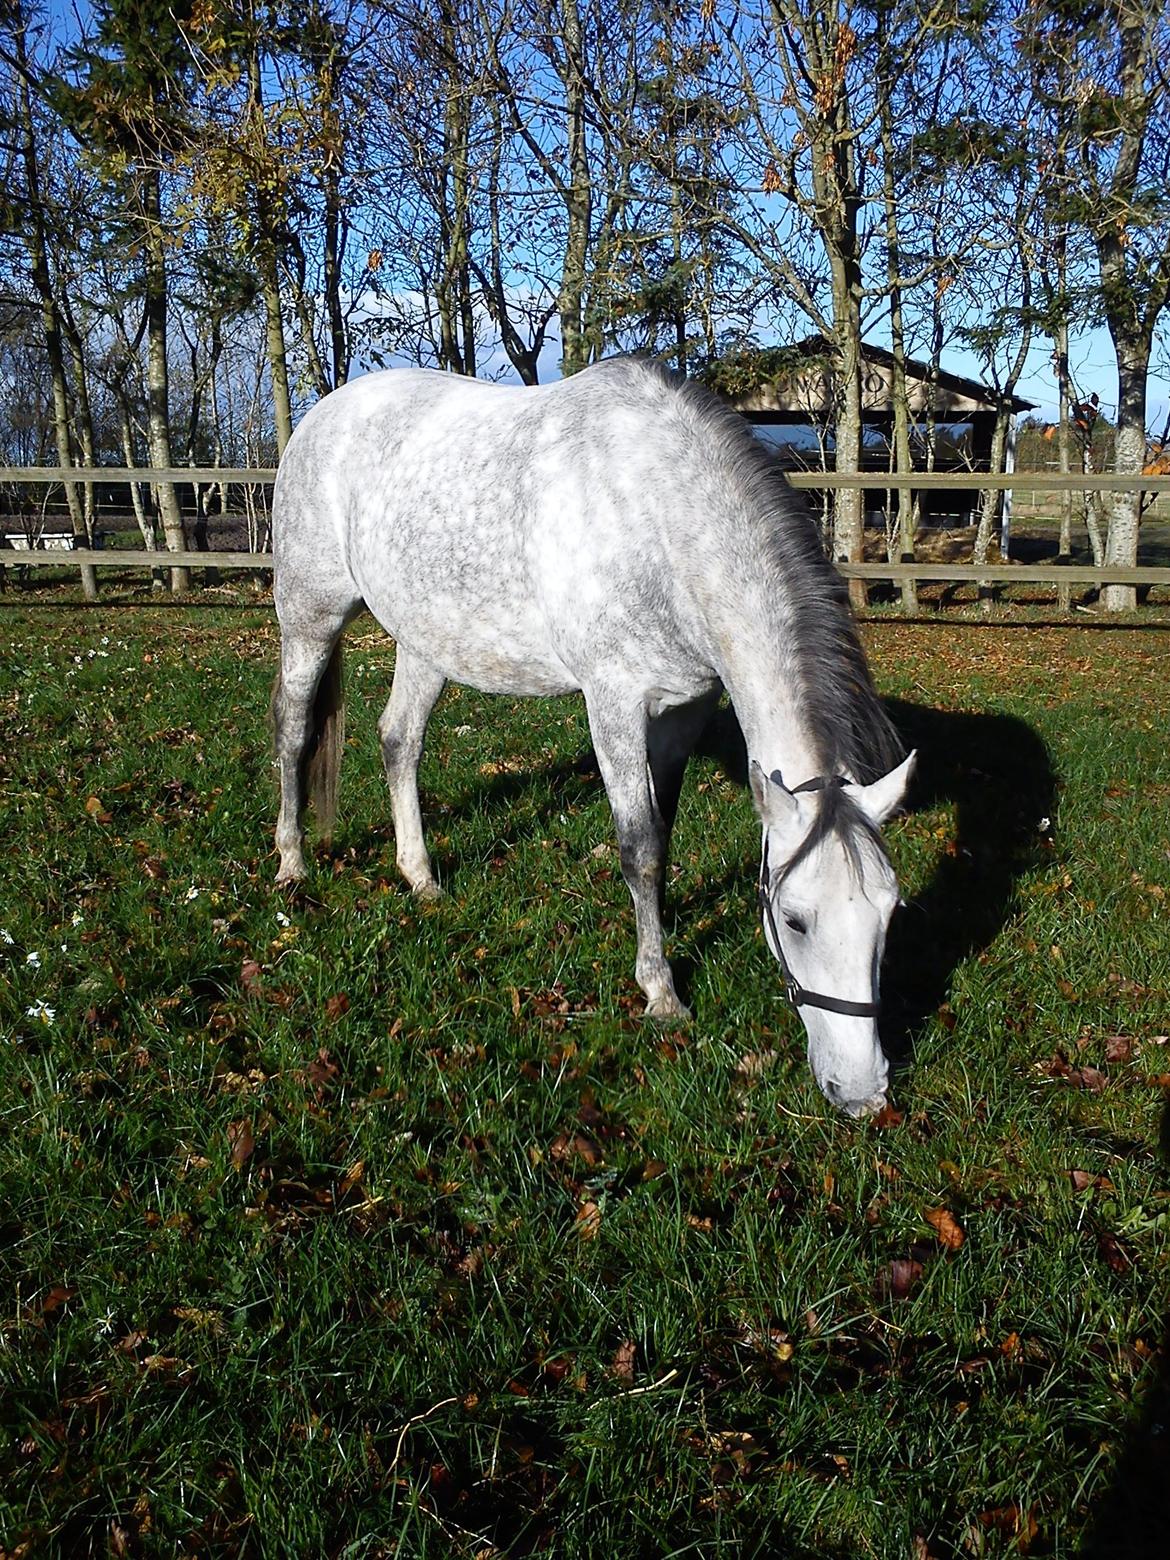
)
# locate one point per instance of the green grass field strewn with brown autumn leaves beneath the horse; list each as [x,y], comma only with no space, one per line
[355,1227]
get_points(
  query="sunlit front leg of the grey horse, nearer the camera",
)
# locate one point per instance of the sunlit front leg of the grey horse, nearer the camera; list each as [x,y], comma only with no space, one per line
[620,743]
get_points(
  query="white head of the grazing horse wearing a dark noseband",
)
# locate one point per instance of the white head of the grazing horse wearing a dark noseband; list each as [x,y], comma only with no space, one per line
[828,893]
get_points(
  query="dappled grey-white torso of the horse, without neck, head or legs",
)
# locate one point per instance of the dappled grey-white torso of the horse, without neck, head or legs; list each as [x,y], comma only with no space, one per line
[519,537]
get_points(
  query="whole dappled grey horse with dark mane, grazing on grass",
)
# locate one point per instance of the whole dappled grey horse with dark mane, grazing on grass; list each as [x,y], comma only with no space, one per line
[622,534]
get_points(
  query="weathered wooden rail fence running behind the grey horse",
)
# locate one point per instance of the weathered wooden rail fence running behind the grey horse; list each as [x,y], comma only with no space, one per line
[1054,573]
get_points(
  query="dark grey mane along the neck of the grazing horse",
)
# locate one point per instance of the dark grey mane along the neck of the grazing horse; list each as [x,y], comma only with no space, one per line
[846,717]
